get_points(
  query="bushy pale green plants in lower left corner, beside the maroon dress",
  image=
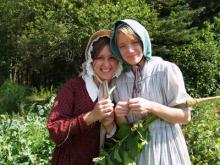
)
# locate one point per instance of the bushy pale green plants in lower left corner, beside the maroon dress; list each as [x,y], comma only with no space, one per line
[25,140]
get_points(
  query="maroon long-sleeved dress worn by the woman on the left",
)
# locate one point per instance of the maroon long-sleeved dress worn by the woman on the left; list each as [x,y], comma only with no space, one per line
[82,144]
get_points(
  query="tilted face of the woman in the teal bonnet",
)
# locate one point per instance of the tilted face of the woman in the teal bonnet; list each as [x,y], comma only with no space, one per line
[130,47]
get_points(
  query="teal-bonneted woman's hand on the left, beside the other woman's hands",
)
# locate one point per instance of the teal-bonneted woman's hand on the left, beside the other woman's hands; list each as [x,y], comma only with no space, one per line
[121,109]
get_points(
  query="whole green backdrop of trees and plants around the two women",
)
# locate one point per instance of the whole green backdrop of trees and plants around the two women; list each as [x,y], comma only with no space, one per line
[42,45]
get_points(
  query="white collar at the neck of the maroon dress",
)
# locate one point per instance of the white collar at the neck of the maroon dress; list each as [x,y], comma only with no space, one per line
[91,87]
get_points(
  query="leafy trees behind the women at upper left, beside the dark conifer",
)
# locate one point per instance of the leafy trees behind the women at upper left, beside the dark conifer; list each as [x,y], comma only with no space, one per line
[51,37]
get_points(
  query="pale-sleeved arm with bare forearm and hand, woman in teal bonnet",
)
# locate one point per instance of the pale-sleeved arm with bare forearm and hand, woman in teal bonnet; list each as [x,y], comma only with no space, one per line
[175,93]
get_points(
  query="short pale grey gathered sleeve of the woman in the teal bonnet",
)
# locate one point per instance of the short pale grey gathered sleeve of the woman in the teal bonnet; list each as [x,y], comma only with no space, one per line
[174,86]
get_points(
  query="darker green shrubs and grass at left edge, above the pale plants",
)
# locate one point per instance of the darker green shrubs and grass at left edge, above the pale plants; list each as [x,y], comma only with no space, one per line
[23,100]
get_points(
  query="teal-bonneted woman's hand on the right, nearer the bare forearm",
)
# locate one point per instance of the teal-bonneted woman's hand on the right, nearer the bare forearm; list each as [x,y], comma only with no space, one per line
[140,106]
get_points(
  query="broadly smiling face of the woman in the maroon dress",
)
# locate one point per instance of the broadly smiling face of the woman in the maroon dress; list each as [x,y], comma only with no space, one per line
[105,64]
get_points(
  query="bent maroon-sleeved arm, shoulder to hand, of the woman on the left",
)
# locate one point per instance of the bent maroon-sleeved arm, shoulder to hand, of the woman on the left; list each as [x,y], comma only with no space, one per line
[61,122]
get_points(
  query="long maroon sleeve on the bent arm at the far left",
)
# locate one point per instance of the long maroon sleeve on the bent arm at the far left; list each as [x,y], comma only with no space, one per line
[62,121]
